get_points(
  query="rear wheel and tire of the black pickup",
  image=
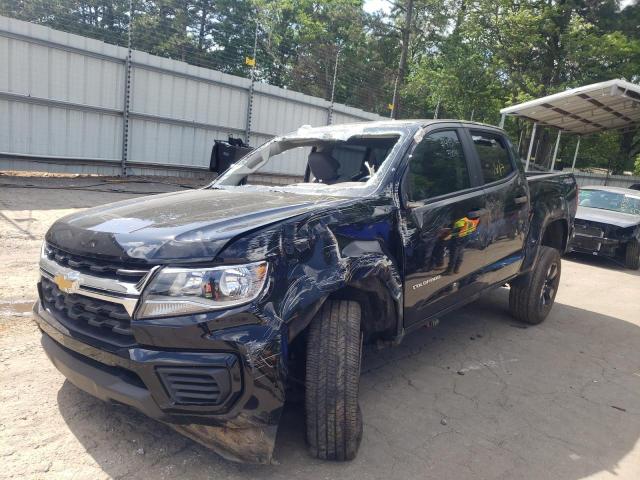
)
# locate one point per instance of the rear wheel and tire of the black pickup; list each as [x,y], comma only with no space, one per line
[531,297]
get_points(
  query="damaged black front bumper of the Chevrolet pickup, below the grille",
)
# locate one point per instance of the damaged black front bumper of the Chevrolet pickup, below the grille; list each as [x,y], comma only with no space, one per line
[240,424]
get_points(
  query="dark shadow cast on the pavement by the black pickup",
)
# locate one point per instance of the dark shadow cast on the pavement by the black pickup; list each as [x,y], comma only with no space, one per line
[479,396]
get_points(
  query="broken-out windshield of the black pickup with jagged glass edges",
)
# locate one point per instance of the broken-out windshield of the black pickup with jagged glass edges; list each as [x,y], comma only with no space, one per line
[328,161]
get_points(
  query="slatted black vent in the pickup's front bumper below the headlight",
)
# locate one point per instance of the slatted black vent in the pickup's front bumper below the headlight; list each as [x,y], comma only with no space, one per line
[195,385]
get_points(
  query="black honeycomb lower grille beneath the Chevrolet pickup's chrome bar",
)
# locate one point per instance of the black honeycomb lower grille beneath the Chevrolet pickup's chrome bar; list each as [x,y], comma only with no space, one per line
[104,321]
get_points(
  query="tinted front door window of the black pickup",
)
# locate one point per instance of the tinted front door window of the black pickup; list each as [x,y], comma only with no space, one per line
[437,167]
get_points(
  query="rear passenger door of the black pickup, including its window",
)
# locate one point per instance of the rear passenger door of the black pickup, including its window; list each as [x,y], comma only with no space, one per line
[507,202]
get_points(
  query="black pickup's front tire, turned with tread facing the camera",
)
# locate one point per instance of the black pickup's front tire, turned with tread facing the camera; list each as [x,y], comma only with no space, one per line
[333,417]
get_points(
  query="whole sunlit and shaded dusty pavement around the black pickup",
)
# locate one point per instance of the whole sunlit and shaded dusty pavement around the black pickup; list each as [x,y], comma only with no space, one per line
[478,397]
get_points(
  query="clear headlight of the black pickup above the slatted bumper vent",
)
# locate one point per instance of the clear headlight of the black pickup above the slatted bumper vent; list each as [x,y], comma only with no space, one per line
[184,291]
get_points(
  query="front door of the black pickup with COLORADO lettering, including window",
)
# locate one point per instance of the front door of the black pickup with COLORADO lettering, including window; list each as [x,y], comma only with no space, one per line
[443,206]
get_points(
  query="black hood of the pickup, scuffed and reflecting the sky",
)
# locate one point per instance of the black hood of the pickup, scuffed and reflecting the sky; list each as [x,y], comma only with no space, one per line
[186,226]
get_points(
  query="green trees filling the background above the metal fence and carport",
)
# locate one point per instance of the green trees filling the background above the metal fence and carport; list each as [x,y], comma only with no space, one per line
[466,59]
